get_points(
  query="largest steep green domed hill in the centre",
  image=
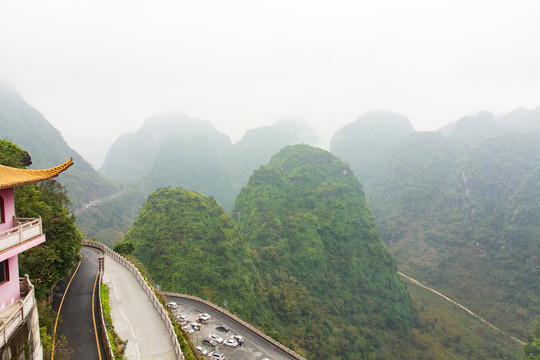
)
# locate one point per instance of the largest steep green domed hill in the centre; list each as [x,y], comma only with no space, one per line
[329,278]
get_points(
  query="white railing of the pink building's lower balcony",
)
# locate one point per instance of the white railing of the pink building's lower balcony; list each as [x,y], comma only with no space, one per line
[19,315]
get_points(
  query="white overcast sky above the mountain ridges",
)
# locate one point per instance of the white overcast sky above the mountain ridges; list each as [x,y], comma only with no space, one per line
[98,69]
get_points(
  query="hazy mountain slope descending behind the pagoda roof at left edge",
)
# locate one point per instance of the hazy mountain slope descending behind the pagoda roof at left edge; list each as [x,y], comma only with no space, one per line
[25,126]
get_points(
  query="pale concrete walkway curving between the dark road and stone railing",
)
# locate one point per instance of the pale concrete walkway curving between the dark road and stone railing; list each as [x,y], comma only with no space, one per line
[134,317]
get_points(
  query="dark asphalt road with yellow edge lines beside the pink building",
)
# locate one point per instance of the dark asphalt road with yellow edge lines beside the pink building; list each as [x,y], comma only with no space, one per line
[76,315]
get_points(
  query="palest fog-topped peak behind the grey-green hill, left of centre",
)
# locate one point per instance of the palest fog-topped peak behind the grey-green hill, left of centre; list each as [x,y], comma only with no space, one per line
[132,155]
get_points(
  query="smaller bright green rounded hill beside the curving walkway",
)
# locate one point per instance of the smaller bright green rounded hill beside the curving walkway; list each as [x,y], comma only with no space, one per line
[188,244]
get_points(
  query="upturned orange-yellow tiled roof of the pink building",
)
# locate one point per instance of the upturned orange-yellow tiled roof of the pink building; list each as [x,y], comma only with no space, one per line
[10,177]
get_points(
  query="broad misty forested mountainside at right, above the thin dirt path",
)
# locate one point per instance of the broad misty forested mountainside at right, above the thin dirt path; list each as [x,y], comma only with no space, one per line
[457,210]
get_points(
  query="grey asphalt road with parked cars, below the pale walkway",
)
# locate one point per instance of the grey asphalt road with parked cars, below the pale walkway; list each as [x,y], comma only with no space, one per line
[254,348]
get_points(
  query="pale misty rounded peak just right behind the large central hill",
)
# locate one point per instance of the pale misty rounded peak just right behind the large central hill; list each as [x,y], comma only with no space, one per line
[367,143]
